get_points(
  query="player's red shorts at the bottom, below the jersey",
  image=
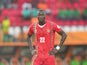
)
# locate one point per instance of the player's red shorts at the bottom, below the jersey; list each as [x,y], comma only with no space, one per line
[46,60]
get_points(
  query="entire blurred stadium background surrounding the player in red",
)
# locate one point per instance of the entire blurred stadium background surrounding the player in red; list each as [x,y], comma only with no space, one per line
[16,17]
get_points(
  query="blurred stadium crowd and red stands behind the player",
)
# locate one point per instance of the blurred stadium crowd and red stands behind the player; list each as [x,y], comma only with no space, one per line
[16,16]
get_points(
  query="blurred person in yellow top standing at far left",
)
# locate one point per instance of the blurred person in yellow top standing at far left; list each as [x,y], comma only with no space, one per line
[5,28]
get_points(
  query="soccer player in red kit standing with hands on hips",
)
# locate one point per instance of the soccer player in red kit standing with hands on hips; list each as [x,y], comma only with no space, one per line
[45,32]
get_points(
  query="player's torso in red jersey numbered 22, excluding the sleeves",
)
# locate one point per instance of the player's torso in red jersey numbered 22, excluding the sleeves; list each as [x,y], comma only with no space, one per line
[44,37]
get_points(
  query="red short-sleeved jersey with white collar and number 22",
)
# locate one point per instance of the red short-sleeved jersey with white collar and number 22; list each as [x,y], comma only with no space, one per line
[45,35]
